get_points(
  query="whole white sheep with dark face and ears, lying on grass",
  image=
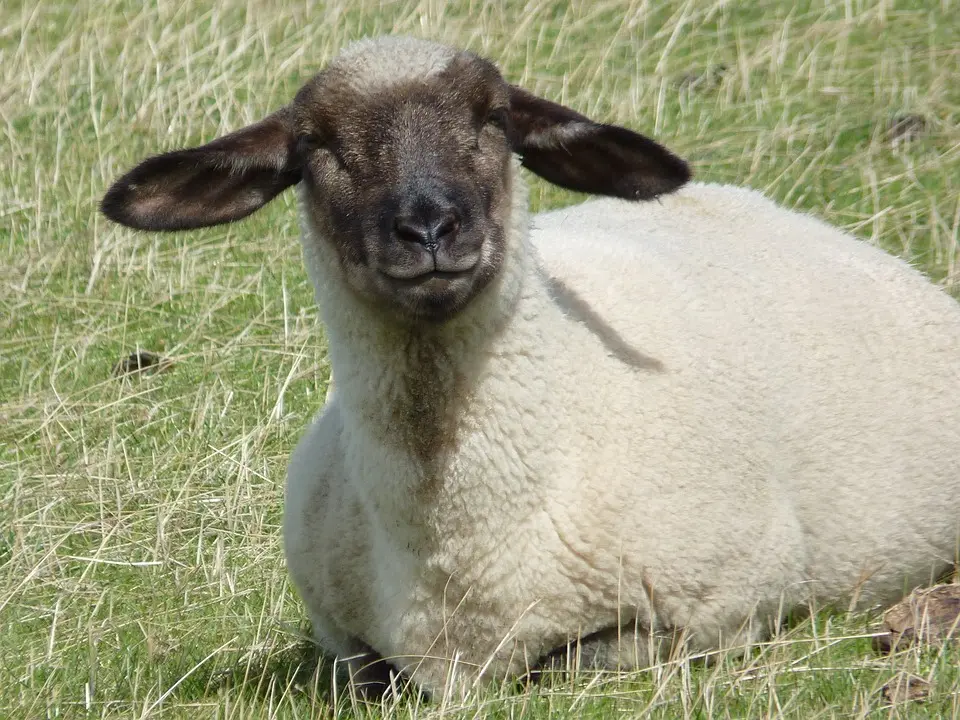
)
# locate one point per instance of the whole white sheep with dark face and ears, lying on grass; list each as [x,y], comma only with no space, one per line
[633,424]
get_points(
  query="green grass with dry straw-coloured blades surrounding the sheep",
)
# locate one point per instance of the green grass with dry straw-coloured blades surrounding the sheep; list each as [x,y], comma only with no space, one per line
[141,572]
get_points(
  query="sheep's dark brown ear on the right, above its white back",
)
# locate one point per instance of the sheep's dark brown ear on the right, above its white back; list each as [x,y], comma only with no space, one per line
[570,150]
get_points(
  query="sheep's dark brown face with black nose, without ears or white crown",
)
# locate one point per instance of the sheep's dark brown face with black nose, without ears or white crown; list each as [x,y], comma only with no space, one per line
[411,185]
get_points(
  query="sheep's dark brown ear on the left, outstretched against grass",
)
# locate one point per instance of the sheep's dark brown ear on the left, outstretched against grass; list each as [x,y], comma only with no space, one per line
[220,182]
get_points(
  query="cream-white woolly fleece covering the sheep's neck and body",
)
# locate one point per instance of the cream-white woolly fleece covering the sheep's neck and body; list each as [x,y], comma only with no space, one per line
[800,440]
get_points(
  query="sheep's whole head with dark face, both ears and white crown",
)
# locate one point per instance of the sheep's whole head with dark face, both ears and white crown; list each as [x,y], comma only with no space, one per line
[403,148]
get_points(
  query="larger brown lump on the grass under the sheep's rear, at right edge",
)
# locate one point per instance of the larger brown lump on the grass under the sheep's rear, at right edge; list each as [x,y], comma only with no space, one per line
[930,615]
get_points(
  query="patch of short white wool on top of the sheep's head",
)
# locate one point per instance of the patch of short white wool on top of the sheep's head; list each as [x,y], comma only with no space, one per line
[373,64]
